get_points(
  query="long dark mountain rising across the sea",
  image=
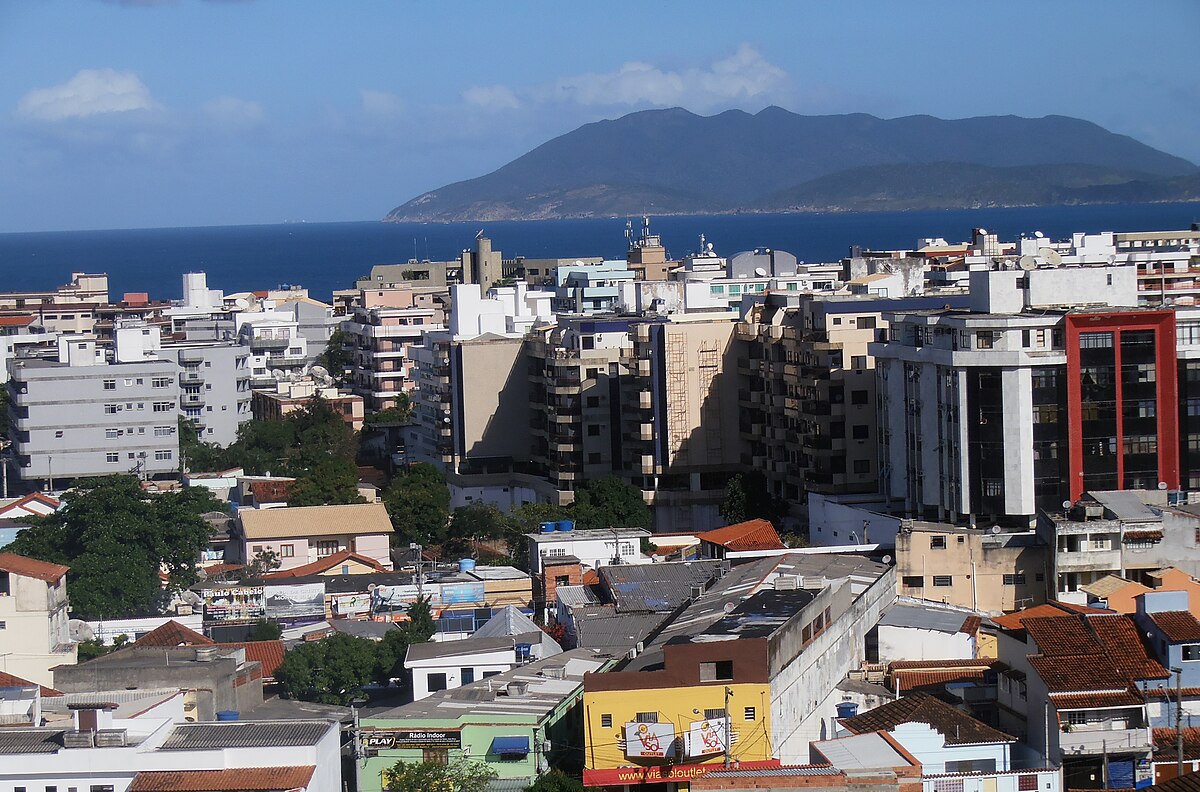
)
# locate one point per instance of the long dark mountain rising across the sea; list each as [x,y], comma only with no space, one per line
[677,163]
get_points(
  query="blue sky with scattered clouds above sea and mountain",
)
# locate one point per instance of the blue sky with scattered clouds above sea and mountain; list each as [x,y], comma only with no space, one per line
[164,113]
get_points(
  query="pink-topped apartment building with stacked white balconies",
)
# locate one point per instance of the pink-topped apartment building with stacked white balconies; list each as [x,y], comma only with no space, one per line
[386,323]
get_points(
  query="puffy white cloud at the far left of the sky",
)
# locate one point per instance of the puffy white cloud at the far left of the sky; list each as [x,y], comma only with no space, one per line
[92,92]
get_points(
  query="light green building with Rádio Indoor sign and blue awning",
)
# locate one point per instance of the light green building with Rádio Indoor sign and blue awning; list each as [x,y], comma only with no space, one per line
[520,723]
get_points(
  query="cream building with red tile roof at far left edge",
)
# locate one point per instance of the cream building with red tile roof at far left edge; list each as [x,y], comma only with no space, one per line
[34,635]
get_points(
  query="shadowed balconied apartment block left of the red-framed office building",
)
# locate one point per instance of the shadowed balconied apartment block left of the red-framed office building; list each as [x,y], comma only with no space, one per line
[807,389]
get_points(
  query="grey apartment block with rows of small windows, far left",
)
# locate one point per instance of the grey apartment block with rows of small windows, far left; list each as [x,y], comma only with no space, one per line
[81,417]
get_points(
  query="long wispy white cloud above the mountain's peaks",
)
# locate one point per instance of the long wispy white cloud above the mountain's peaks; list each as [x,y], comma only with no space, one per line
[743,75]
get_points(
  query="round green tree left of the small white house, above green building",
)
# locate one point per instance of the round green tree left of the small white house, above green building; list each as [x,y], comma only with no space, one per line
[331,671]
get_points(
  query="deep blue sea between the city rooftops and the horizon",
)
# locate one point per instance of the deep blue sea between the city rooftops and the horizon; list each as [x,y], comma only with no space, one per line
[332,256]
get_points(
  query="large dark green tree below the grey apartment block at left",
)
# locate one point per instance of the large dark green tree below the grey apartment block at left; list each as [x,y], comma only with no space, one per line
[117,538]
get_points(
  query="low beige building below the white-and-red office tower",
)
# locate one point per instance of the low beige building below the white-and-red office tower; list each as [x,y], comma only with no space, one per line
[977,569]
